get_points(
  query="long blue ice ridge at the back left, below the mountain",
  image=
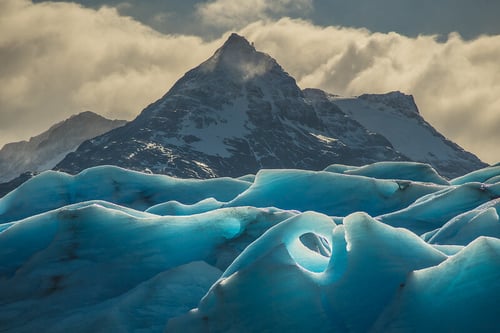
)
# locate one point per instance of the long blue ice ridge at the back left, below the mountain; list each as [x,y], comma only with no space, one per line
[51,190]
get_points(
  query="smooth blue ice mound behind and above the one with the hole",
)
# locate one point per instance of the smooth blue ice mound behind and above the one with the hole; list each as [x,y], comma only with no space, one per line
[330,193]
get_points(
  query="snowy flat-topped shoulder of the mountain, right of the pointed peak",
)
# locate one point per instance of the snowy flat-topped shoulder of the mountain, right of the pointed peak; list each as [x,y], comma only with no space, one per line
[395,116]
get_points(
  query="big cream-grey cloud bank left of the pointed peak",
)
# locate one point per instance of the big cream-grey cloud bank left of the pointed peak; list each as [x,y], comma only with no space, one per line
[60,58]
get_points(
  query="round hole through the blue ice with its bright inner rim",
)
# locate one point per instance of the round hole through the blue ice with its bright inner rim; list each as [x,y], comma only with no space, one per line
[311,252]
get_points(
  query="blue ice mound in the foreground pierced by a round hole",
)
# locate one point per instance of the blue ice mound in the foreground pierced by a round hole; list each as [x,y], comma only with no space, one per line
[269,285]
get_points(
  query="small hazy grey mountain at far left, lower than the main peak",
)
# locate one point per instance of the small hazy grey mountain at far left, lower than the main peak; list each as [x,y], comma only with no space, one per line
[45,150]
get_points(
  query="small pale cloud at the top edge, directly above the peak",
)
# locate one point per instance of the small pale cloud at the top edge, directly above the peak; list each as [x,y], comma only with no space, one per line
[232,14]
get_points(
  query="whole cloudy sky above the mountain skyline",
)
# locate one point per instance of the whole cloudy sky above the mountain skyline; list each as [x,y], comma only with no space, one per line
[116,57]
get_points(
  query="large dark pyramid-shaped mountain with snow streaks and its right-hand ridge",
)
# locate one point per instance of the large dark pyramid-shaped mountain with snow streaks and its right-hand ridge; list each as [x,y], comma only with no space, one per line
[239,111]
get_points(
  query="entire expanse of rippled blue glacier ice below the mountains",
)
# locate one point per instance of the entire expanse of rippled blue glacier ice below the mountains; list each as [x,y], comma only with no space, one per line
[386,247]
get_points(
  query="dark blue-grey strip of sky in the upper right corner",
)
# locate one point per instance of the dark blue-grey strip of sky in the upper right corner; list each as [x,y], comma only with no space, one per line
[412,18]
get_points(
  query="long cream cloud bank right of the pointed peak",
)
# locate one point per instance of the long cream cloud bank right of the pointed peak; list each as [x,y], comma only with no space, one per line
[456,83]
